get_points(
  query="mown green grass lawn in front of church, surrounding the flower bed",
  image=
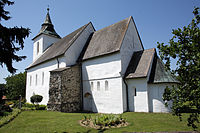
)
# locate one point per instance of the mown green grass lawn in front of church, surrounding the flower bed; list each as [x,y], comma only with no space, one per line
[50,122]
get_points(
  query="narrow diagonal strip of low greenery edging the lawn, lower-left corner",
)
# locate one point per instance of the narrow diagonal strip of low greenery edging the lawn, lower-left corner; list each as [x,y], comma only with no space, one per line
[4,120]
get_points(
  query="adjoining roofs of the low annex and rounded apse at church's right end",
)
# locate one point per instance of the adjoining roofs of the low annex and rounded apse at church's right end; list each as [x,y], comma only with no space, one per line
[140,65]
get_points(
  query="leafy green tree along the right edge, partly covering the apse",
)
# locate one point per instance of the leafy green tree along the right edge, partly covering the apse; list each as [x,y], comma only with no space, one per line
[184,47]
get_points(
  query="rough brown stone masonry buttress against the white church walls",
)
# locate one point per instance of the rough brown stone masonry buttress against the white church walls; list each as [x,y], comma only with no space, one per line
[65,89]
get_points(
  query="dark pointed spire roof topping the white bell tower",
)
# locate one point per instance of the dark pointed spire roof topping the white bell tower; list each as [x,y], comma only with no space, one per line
[47,27]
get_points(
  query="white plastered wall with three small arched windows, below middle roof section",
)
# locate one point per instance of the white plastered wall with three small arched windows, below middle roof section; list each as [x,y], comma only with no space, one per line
[102,69]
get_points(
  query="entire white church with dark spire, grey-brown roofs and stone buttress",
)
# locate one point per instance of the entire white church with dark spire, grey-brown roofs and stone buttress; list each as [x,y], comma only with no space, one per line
[105,71]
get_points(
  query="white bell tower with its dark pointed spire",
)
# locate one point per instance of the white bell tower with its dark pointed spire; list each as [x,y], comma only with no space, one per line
[45,38]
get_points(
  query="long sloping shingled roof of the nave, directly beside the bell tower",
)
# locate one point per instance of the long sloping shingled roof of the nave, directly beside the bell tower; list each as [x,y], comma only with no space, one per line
[58,48]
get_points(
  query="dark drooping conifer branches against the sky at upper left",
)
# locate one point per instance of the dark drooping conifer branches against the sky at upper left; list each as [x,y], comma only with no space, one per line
[11,39]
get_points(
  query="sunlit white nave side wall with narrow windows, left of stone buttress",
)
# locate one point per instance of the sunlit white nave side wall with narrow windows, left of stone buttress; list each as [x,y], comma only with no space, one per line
[42,86]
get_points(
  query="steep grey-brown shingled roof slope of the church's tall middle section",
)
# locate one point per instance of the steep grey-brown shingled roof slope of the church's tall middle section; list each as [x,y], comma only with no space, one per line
[107,40]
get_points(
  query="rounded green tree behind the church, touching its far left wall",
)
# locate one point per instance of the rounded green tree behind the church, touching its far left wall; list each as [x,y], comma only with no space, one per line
[16,86]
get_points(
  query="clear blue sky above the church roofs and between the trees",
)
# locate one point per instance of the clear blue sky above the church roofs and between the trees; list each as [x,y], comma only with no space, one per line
[154,19]
